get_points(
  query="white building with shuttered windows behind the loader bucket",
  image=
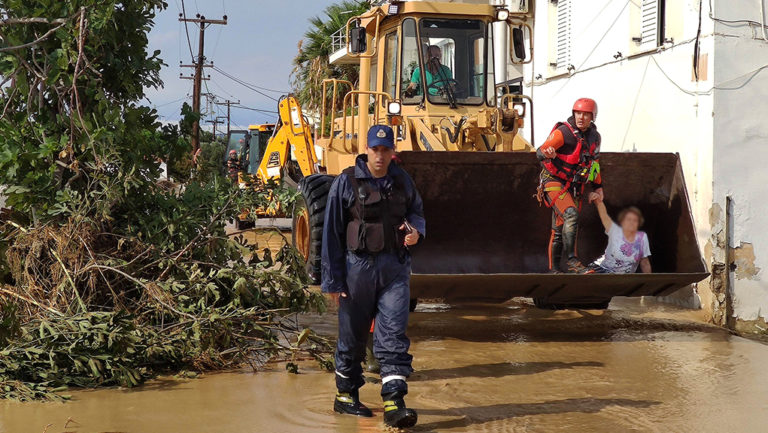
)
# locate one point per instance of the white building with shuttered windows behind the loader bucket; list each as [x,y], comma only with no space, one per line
[685,76]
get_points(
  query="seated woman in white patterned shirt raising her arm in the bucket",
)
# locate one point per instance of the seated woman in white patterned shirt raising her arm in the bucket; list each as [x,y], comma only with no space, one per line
[627,247]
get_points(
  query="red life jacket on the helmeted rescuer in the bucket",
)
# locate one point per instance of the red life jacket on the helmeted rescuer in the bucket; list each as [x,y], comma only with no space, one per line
[571,167]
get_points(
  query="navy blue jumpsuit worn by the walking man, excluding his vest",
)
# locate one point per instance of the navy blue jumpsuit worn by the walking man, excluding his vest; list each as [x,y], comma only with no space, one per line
[377,286]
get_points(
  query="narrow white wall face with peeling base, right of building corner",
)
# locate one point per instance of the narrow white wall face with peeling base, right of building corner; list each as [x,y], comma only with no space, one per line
[741,159]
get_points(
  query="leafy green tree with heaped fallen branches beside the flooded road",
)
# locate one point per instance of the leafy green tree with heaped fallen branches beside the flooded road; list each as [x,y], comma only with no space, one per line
[117,276]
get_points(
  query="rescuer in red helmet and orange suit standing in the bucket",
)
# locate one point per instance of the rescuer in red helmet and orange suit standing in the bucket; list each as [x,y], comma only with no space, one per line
[570,161]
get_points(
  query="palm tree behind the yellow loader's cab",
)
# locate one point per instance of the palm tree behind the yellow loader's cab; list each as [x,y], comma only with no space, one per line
[311,64]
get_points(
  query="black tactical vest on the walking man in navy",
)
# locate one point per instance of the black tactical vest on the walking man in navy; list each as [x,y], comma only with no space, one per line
[375,216]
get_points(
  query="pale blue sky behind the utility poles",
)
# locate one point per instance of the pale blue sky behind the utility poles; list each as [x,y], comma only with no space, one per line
[256,46]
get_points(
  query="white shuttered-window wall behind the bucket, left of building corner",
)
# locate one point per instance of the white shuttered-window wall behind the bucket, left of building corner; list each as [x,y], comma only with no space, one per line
[648,100]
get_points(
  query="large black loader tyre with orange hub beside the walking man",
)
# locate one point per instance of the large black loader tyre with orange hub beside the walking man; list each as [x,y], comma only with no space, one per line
[308,220]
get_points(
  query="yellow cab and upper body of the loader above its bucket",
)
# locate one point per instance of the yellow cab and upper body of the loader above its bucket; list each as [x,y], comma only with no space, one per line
[426,69]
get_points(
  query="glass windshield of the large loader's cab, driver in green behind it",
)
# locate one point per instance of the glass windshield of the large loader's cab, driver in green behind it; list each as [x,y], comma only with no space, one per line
[453,62]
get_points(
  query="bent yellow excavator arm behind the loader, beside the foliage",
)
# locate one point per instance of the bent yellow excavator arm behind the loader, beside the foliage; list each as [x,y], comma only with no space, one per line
[291,130]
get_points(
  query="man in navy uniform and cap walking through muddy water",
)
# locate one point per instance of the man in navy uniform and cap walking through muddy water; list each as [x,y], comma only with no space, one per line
[373,215]
